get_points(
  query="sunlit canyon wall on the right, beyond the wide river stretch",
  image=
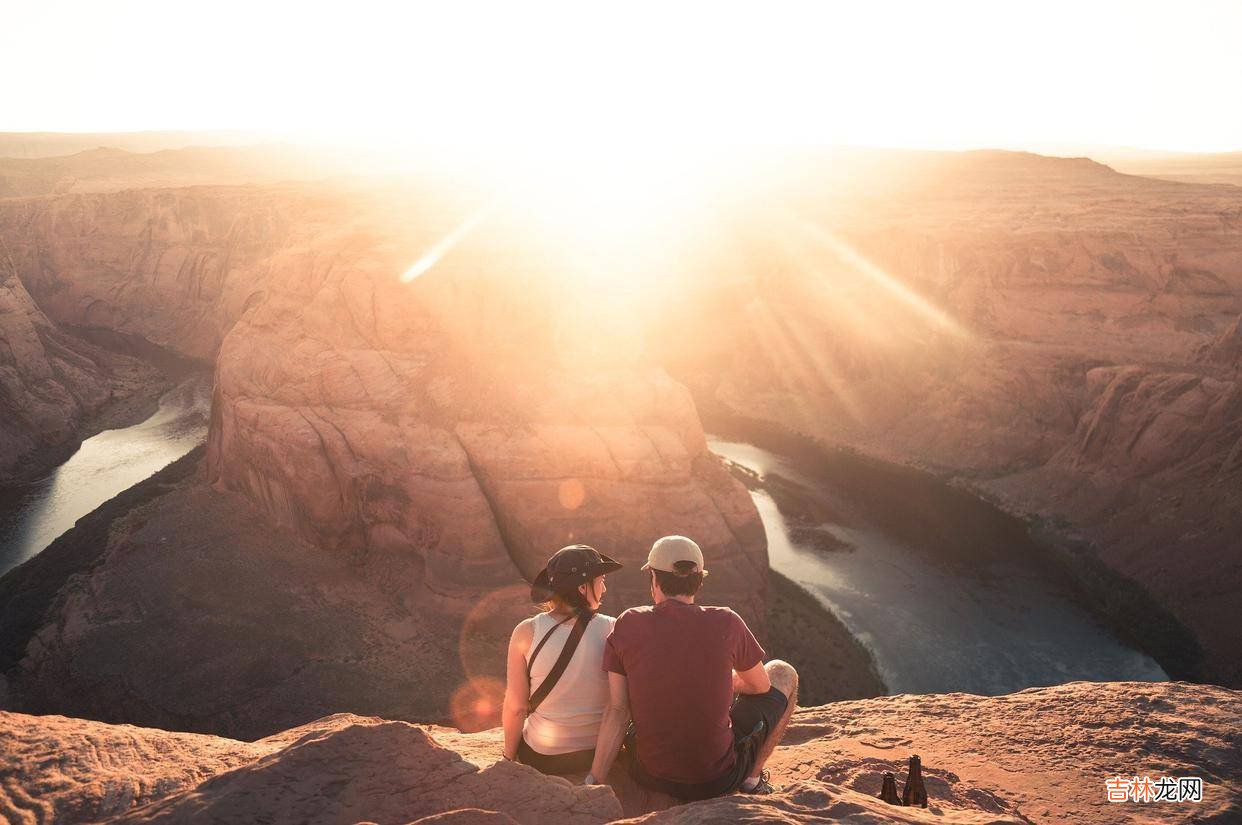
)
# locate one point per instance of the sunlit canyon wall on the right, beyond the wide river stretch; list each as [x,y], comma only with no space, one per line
[1058,336]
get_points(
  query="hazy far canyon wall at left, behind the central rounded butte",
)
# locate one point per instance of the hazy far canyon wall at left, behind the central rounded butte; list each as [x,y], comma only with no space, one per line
[177,268]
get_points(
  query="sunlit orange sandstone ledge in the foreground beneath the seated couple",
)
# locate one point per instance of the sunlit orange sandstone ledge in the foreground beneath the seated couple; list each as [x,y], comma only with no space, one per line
[1038,756]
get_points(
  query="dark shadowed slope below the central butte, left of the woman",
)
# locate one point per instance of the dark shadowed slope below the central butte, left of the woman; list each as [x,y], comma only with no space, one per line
[196,614]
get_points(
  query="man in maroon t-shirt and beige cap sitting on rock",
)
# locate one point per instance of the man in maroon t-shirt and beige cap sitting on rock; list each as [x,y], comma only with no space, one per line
[675,669]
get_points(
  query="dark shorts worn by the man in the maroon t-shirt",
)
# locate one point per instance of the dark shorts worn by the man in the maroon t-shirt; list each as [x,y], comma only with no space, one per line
[755,719]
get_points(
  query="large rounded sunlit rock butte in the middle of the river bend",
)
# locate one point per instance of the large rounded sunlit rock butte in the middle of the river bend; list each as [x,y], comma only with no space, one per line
[456,428]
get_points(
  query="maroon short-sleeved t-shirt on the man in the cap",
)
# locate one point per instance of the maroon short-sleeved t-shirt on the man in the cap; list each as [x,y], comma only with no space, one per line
[679,660]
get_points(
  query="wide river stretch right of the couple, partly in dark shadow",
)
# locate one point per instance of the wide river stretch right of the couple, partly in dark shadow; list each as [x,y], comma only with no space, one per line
[946,591]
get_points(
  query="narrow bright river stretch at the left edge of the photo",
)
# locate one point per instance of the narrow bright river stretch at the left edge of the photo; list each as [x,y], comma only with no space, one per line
[32,516]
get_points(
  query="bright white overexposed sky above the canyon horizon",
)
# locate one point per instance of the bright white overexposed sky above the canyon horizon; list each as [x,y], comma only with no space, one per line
[933,74]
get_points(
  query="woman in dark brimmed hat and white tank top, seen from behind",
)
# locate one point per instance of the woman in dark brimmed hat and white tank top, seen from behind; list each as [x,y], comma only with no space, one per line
[557,688]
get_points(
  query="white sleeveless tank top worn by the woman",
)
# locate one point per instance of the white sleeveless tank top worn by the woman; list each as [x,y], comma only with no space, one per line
[569,718]
